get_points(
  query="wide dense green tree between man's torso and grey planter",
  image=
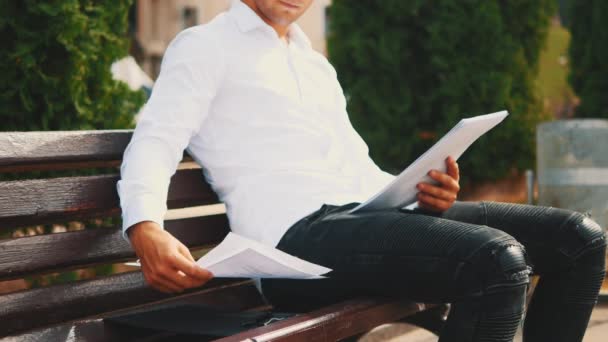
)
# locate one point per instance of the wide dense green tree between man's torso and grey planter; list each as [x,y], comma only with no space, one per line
[412,69]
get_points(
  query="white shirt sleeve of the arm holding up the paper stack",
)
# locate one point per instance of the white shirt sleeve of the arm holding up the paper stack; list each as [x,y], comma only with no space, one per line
[373,178]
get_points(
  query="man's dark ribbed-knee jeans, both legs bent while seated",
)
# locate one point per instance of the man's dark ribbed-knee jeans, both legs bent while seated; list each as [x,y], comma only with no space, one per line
[476,256]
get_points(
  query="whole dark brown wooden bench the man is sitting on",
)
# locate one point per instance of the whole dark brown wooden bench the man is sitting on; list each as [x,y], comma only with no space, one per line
[76,310]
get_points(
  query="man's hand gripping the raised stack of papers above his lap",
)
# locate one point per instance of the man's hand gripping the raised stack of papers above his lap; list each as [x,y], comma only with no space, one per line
[439,198]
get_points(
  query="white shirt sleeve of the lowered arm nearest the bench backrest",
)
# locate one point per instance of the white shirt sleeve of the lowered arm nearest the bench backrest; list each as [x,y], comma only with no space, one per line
[178,105]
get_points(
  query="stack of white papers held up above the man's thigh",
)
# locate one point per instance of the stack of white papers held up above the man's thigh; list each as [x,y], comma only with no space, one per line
[401,192]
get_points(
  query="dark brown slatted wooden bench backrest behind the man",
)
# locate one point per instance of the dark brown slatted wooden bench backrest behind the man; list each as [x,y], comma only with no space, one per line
[38,201]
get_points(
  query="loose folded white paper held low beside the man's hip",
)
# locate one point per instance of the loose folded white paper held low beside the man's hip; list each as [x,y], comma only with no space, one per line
[239,257]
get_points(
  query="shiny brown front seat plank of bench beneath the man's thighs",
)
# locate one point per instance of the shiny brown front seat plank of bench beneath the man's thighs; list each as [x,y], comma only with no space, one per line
[332,323]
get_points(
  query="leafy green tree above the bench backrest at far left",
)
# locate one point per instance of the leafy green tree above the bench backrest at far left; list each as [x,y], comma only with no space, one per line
[55,64]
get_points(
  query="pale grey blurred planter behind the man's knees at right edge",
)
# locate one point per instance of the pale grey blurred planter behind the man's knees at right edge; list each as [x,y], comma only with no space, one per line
[572,164]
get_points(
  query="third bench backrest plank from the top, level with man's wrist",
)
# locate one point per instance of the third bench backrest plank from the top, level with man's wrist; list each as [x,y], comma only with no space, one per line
[63,251]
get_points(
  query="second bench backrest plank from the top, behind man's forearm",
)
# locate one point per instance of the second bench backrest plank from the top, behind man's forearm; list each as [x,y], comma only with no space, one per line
[63,199]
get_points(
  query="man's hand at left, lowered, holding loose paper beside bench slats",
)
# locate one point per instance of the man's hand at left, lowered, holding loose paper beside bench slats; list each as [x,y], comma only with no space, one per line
[166,263]
